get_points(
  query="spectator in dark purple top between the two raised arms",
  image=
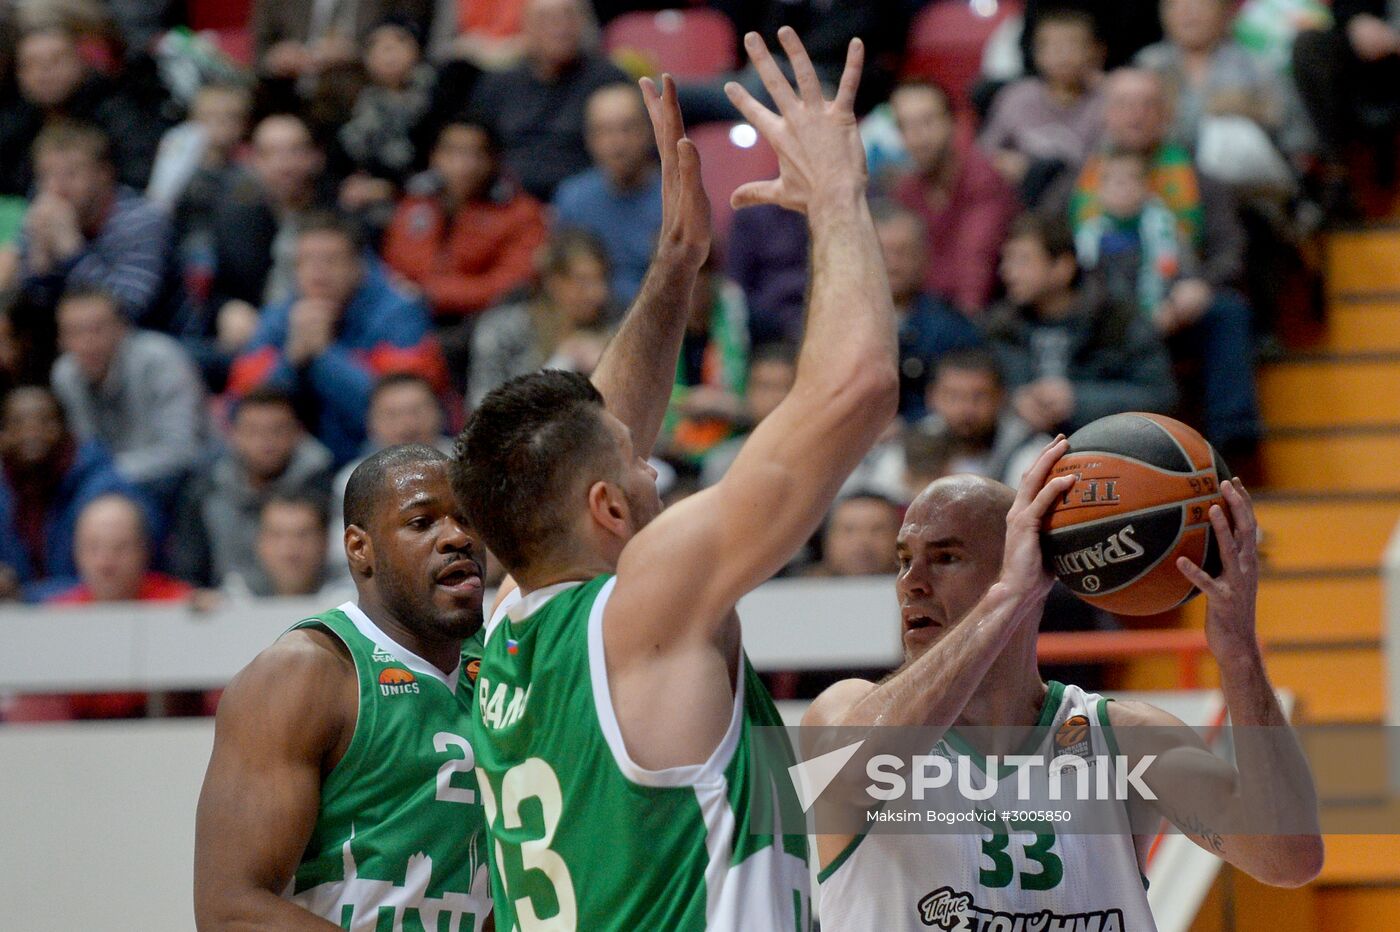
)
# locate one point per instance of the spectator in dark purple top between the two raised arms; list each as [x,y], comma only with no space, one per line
[768,257]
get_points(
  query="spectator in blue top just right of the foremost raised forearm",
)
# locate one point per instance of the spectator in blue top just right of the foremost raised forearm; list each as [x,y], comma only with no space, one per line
[927,325]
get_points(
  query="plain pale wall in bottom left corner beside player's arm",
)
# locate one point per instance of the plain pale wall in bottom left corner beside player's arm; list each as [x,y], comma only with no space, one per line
[97,825]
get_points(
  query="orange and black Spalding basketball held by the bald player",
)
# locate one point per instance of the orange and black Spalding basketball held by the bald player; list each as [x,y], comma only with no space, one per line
[1146,486]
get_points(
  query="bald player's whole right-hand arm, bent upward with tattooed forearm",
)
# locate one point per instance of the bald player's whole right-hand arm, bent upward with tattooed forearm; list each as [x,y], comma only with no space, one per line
[1269,793]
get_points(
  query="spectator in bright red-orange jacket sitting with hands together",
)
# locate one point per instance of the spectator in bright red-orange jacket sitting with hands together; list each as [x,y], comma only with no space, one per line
[465,234]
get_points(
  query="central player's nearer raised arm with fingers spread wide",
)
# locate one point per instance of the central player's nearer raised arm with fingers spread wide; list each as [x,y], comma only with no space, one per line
[685,572]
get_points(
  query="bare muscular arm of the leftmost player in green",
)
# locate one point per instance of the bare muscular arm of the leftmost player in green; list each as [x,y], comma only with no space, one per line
[282,723]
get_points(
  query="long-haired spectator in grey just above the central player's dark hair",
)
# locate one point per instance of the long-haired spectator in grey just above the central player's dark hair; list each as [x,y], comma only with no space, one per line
[565,325]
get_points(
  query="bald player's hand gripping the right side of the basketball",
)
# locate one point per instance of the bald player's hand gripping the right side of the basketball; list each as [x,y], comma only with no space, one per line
[1230,614]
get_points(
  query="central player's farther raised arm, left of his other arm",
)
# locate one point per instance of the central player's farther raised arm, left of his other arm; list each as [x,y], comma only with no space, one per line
[639,367]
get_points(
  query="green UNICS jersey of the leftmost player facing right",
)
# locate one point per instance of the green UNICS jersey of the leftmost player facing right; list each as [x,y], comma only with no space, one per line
[398,845]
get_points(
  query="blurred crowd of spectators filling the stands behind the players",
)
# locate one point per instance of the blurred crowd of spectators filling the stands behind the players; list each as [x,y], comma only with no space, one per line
[234,262]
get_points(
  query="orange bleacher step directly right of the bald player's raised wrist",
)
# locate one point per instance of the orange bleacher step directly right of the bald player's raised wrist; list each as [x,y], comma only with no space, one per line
[1311,609]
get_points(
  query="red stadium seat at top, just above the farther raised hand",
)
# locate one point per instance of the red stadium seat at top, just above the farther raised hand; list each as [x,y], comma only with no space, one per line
[689,44]
